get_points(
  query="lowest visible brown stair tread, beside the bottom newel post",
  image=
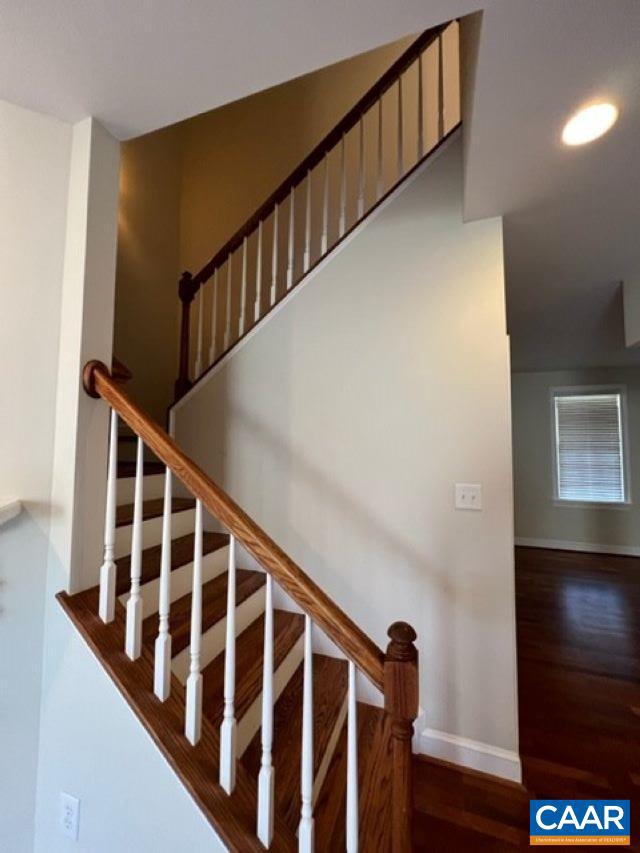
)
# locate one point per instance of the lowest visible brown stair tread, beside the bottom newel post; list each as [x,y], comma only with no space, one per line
[374,783]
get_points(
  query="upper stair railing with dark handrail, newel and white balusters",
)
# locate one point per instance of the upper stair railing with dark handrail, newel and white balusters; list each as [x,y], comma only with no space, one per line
[399,121]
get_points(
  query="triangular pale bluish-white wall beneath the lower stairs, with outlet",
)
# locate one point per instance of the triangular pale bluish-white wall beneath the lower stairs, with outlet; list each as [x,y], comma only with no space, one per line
[130,799]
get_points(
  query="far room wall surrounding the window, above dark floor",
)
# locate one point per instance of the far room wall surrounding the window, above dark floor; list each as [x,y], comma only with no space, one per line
[538,518]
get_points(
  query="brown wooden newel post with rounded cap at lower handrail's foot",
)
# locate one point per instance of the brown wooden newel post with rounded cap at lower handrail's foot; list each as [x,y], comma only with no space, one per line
[401,703]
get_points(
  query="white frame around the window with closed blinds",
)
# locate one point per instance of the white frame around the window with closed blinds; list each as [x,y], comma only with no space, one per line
[579,390]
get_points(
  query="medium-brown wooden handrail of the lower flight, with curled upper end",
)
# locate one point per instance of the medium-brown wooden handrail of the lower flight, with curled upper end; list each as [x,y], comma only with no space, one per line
[355,644]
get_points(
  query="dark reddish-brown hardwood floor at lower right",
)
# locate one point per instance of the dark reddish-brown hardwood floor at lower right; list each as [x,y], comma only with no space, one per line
[578,621]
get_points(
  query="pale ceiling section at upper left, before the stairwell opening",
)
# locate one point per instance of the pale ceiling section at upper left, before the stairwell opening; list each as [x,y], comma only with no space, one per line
[138,65]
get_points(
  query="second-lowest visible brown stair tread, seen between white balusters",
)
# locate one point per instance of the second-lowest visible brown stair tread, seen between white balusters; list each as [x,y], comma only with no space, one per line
[329,693]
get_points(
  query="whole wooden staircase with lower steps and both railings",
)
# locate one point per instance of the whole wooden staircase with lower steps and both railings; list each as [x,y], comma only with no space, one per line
[208,629]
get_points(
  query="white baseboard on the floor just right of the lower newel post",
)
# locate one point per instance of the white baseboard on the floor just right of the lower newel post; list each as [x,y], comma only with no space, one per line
[469,753]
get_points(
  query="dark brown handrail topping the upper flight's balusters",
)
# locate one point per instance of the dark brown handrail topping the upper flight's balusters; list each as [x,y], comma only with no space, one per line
[332,138]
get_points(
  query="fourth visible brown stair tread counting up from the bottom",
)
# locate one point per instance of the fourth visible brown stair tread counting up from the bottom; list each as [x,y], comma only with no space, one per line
[214,608]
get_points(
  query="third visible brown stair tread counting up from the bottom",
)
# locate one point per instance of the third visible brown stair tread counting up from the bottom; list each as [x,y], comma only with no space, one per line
[287,628]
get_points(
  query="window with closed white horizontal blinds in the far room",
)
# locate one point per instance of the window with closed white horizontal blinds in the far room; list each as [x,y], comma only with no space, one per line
[589,446]
